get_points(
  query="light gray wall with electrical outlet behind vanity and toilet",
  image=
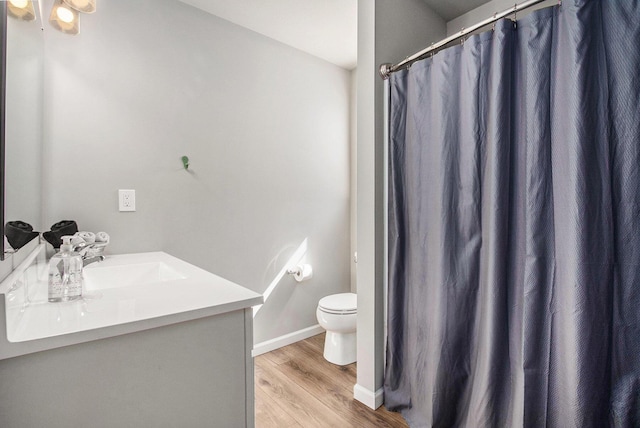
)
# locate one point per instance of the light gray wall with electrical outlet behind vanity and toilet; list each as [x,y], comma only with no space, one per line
[266,128]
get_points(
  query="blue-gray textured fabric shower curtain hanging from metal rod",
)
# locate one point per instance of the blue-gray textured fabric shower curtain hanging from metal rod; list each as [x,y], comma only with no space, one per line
[514,225]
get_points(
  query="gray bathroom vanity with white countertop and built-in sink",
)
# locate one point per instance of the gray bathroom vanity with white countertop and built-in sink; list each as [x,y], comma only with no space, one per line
[155,342]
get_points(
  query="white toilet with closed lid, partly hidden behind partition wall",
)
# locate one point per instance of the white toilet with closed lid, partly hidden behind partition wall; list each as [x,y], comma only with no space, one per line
[337,314]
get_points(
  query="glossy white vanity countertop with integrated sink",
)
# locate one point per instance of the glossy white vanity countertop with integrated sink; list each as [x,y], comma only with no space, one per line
[132,292]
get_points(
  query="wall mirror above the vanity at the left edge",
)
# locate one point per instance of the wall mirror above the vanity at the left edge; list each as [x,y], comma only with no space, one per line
[21,118]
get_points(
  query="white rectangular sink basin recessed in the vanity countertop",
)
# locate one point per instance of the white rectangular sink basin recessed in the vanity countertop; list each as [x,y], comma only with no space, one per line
[98,277]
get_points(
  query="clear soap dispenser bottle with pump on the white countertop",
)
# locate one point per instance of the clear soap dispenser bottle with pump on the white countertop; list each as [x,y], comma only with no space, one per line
[65,273]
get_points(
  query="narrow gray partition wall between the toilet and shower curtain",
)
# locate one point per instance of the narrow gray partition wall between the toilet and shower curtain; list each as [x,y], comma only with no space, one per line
[388,31]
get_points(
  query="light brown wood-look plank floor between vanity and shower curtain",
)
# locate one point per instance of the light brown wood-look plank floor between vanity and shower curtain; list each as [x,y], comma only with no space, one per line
[297,387]
